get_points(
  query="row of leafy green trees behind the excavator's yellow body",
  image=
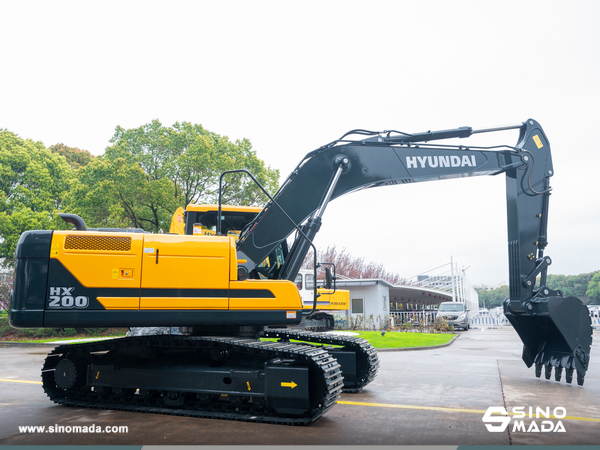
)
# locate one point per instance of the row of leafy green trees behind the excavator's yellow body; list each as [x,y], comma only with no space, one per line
[140,180]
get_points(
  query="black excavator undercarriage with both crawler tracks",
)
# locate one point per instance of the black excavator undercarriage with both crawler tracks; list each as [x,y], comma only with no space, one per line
[214,377]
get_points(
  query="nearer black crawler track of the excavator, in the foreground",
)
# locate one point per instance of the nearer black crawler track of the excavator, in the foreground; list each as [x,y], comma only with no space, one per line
[78,390]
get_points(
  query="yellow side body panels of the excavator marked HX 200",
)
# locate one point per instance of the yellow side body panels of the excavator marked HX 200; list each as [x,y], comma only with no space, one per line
[124,272]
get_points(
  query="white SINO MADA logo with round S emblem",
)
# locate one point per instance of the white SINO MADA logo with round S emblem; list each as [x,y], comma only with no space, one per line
[544,420]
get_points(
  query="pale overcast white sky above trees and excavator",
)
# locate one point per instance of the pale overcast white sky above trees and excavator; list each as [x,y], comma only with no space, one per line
[292,76]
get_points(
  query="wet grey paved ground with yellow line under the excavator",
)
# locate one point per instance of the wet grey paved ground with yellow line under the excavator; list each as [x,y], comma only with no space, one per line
[435,396]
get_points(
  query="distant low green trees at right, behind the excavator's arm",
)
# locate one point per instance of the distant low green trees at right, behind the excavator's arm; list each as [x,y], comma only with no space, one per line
[585,286]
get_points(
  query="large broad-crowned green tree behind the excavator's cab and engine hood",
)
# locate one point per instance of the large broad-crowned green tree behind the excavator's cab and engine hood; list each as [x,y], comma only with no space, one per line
[150,171]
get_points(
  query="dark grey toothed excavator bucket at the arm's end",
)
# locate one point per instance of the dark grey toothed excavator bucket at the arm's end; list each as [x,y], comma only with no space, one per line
[556,332]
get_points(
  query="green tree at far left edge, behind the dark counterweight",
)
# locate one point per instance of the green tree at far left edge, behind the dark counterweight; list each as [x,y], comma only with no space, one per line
[33,184]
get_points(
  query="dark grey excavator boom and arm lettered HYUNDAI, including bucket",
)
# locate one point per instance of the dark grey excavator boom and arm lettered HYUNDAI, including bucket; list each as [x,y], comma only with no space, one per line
[556,331]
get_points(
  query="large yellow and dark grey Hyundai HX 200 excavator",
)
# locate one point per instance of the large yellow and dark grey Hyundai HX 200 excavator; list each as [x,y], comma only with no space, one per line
[224,296]
